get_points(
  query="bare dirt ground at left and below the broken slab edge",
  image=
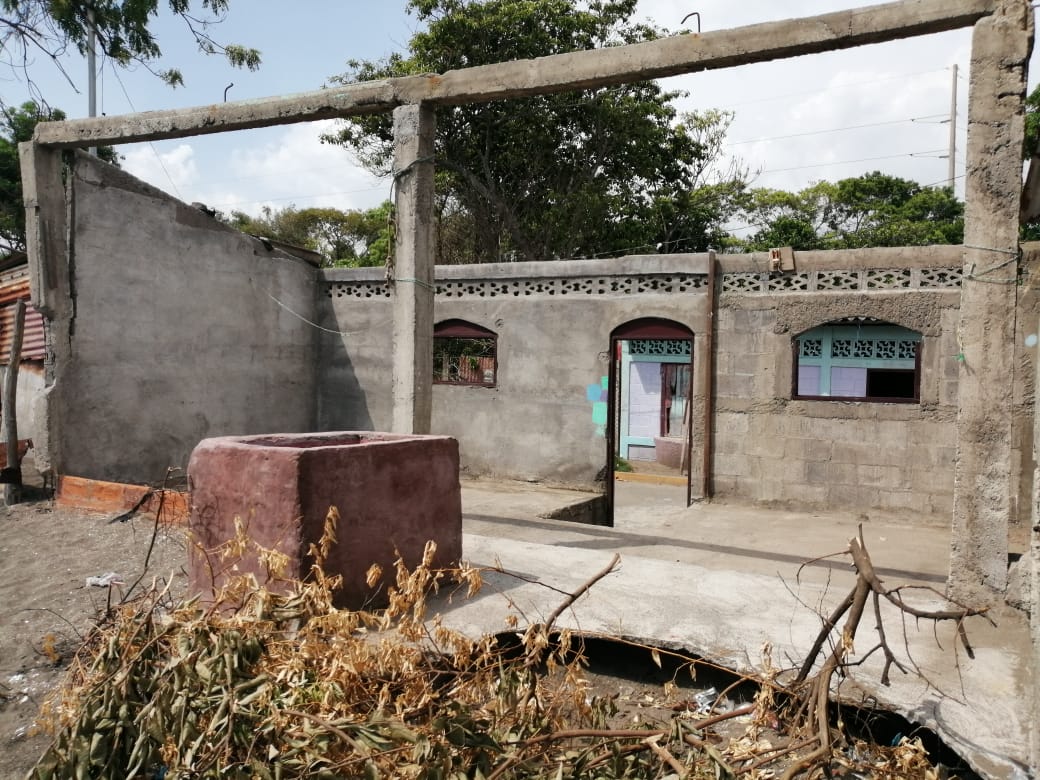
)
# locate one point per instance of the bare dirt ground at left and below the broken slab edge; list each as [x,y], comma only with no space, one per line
[46,606]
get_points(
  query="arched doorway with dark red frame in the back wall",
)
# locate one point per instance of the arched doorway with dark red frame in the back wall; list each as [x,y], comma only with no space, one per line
[651,398]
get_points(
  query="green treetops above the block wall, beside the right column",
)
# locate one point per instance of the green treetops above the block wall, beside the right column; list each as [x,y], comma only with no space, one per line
[870,211]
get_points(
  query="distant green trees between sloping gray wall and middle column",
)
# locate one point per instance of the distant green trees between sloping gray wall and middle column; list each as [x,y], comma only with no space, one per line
[345,239]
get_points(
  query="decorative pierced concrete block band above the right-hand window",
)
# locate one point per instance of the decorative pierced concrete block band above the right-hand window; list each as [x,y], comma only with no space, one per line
[837,281]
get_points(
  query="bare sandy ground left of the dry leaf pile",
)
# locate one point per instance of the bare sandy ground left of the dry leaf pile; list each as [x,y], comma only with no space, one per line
[46,556]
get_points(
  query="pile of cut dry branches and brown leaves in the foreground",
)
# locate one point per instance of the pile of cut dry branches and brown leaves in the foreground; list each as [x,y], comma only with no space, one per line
[290,687]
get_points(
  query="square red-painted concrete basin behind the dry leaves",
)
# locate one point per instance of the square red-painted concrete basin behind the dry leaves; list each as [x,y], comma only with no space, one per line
[394,495]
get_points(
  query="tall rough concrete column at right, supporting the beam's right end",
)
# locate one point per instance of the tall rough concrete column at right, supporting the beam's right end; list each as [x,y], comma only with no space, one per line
[983,490]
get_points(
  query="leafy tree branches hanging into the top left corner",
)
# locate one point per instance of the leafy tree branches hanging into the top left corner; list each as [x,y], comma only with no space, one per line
[31,29]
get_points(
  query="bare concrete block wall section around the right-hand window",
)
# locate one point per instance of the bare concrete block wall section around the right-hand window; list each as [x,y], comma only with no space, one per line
[834,455]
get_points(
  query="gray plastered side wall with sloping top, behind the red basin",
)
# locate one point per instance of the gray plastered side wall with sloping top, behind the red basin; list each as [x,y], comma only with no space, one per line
[178,328]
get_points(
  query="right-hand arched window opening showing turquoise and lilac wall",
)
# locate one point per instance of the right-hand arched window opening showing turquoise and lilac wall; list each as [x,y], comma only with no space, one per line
[861,359]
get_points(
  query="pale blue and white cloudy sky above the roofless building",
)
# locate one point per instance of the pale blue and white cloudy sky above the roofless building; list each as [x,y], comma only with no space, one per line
[826,117]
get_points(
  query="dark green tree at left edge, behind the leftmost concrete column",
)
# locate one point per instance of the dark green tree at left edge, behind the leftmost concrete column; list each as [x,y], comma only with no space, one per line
[17,126]
